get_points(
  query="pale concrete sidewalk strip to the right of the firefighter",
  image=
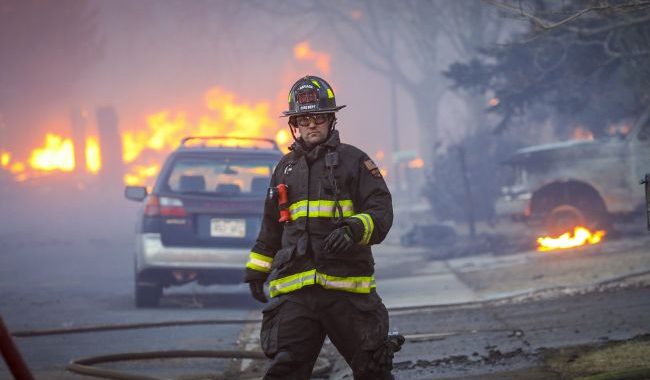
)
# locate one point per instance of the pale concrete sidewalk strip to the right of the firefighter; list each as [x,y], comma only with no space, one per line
[489,277]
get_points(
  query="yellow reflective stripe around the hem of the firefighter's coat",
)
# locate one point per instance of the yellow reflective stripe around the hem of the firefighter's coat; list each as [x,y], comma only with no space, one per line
[357,284]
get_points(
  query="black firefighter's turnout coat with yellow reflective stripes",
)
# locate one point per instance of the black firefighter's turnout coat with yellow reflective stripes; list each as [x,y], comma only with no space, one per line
[330,185]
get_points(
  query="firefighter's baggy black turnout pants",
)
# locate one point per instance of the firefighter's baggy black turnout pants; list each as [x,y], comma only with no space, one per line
[294,327]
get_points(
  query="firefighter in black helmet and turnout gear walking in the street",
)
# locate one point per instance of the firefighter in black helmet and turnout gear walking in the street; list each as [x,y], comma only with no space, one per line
[327,204]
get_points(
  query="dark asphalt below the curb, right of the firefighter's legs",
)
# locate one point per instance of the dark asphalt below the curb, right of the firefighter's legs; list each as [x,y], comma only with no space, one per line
[475,341]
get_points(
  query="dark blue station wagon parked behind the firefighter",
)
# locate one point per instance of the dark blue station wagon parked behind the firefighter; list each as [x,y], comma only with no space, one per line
[203,214]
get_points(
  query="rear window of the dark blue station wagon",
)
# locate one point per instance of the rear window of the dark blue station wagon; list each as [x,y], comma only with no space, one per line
[220,177]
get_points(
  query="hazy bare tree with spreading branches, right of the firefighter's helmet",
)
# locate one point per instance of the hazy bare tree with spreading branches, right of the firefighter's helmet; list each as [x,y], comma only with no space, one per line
[402,41]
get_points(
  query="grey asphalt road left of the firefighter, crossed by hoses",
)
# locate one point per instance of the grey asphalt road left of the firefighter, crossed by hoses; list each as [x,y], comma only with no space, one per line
[61,276]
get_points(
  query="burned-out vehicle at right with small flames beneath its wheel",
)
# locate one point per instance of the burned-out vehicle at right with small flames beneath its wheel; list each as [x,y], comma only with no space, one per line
[586,182]
